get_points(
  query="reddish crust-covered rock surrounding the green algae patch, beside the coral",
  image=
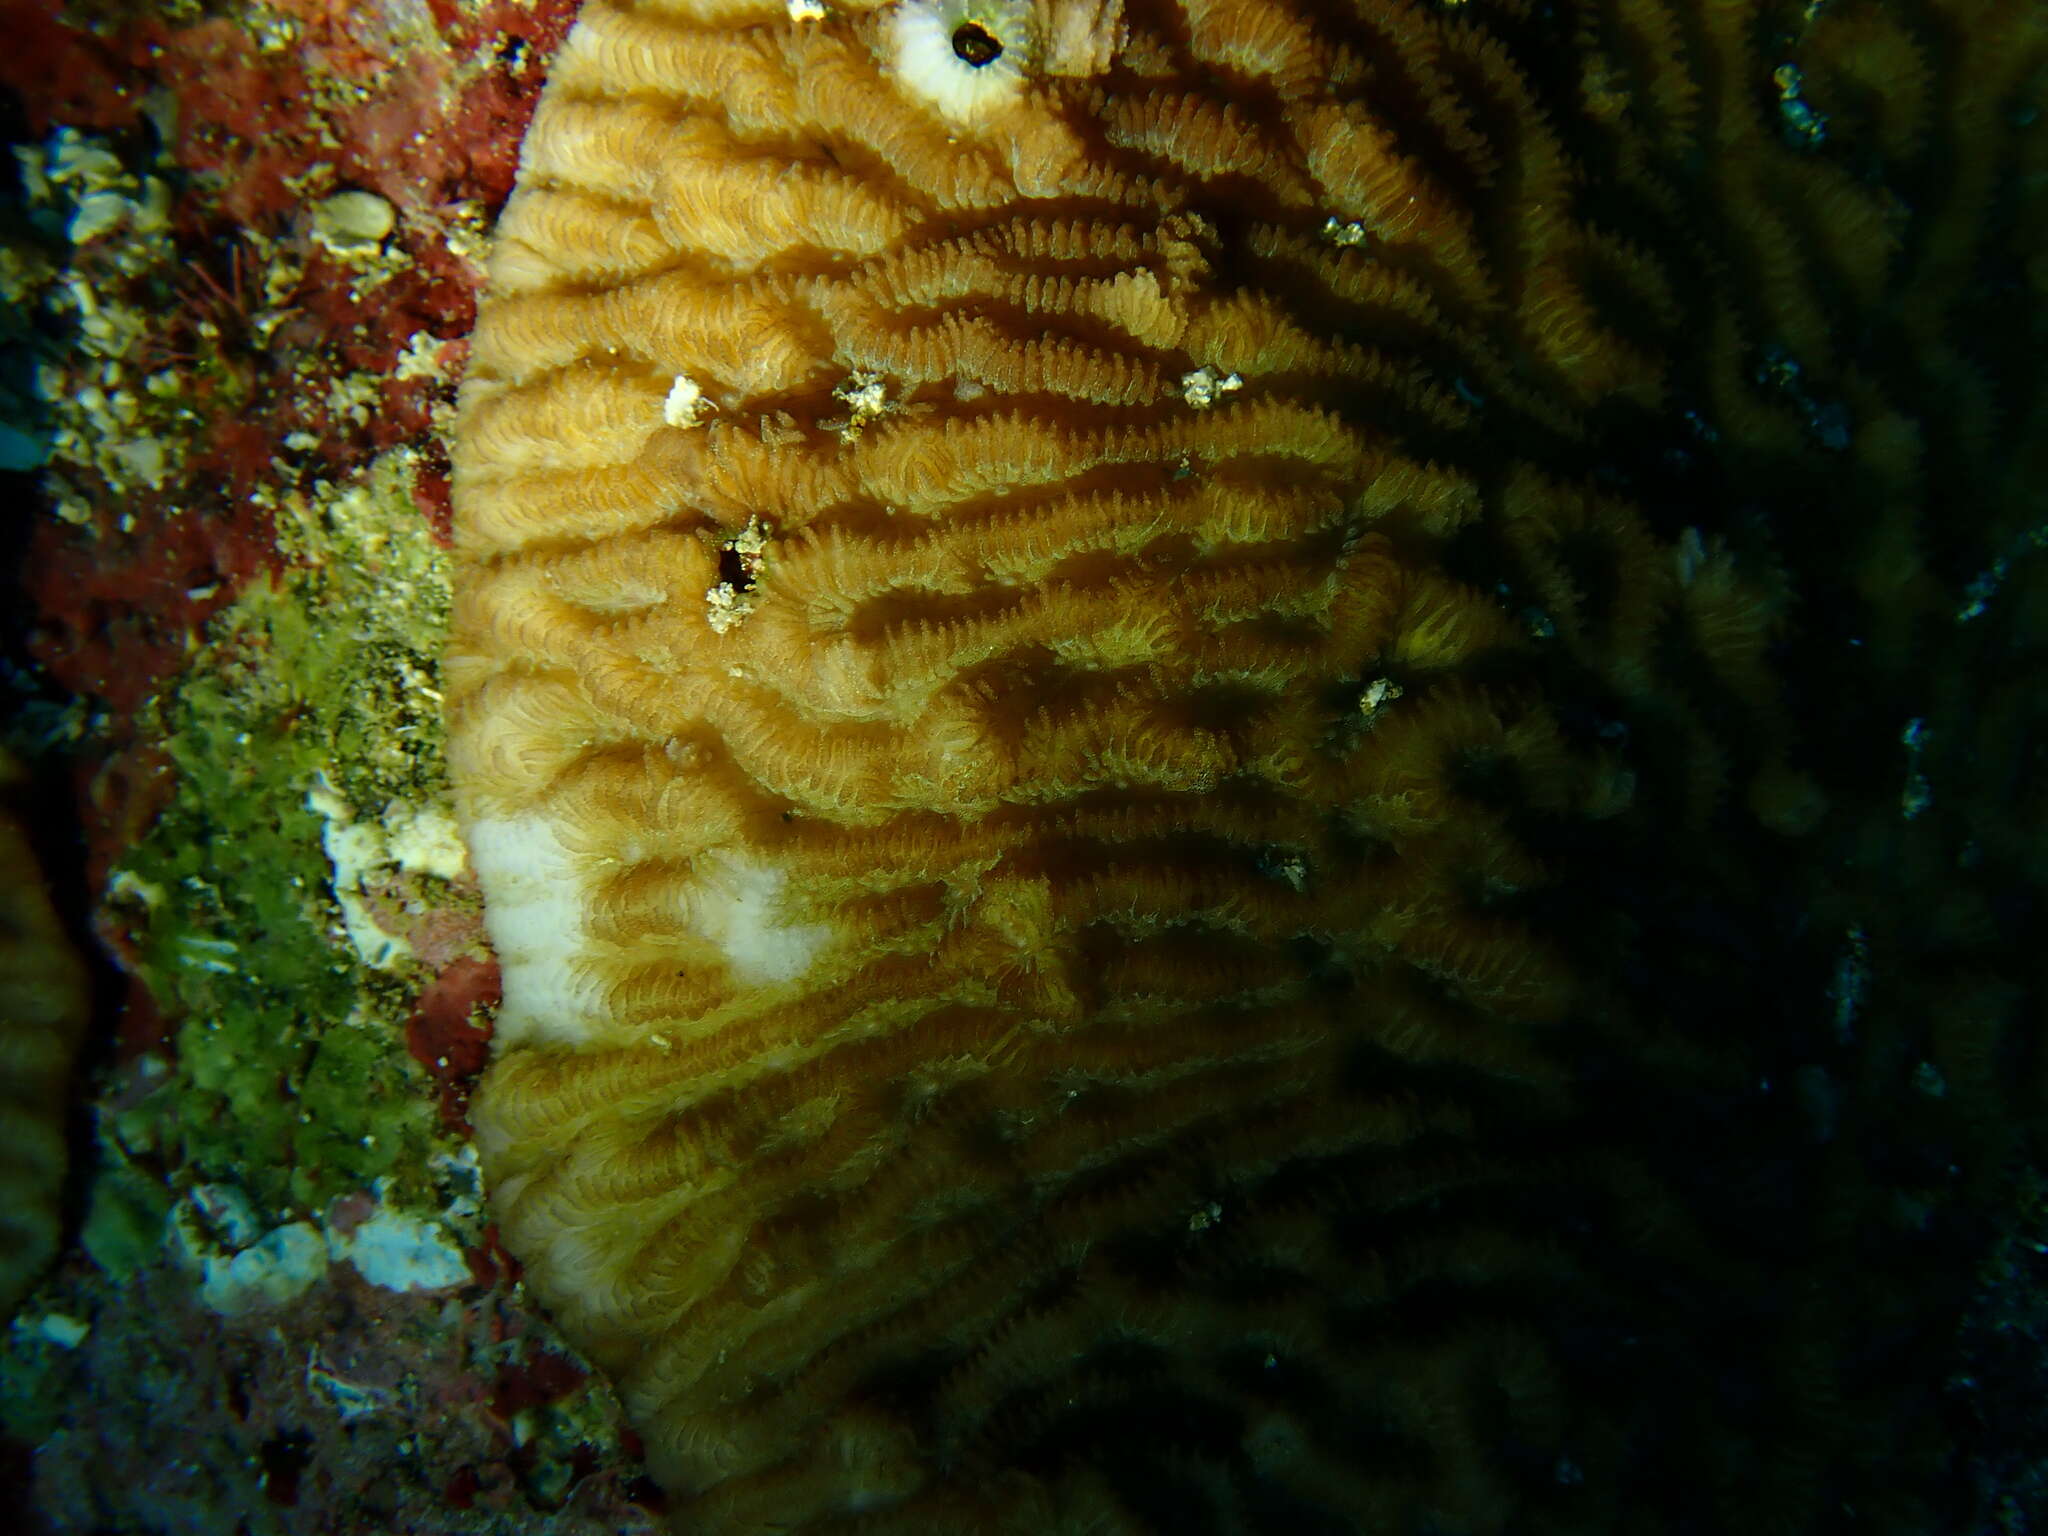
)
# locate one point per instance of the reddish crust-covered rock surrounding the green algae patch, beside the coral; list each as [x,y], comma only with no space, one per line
[294,366]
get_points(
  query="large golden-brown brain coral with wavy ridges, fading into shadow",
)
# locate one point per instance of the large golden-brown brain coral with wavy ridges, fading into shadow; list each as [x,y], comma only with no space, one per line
[1258,767]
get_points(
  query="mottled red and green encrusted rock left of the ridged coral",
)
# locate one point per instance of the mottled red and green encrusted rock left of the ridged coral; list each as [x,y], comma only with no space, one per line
[241,259]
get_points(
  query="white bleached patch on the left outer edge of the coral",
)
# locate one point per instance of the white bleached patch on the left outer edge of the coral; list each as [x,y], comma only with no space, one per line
[534,910]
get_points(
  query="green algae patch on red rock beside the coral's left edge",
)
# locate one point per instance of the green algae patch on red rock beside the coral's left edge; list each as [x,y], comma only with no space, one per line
[312,697]
